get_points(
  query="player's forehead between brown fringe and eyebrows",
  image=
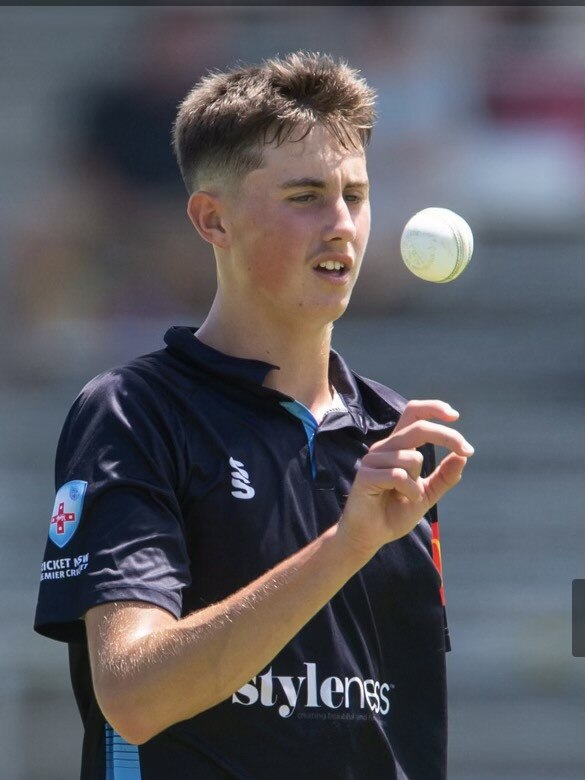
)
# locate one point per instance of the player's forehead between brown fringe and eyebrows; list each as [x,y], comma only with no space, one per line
[318,155]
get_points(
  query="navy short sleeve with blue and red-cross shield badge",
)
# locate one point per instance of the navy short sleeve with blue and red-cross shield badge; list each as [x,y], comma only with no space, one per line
[116,528]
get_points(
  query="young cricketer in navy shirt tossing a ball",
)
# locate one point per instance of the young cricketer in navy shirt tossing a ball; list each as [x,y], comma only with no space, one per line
[242,544]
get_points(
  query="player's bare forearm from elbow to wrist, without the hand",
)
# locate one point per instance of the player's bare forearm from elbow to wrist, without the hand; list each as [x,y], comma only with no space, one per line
[174,673]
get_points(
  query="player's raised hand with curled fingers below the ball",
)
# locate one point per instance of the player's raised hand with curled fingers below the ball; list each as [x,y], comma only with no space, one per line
[389,497]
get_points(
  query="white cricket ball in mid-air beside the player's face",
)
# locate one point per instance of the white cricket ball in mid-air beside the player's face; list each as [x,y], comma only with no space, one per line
[436,245]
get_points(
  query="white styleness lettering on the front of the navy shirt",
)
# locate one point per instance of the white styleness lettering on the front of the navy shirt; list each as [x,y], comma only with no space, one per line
[331,693]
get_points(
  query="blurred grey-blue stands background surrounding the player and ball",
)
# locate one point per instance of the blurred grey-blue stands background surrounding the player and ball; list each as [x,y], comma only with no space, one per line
[481,111]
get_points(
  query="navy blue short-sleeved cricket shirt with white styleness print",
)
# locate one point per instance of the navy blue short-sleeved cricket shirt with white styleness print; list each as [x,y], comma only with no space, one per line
[181,478]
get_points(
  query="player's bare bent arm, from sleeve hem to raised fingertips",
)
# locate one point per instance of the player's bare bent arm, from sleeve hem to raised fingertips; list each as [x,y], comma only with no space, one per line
[150,670]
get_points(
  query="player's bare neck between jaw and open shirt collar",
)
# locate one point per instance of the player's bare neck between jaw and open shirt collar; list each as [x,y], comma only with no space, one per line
[301,350]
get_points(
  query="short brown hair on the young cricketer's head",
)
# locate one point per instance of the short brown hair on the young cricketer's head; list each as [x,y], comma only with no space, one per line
[227,117]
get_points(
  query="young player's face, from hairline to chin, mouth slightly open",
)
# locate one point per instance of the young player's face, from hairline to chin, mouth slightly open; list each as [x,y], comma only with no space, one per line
[298,229]
